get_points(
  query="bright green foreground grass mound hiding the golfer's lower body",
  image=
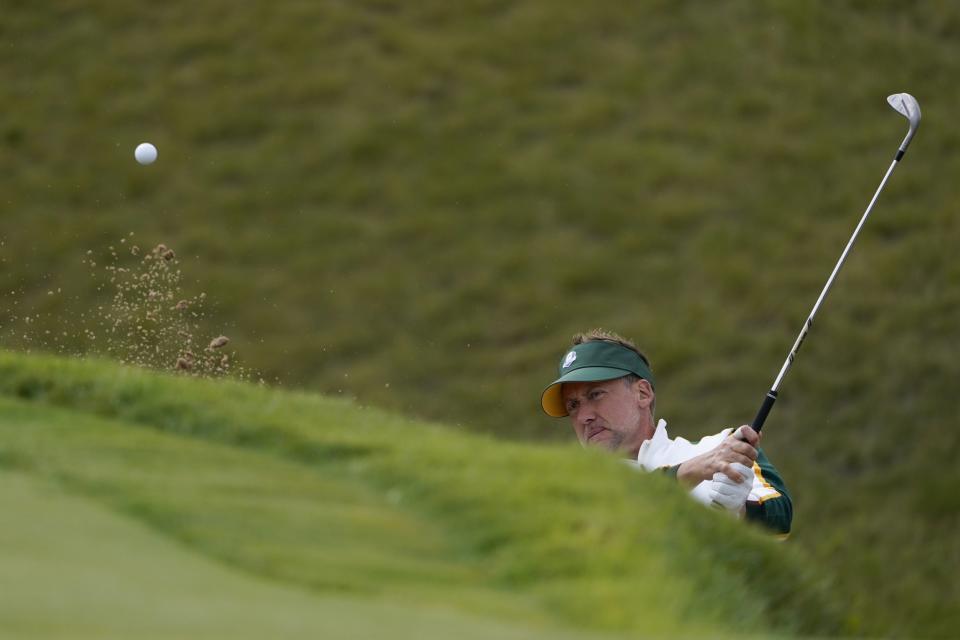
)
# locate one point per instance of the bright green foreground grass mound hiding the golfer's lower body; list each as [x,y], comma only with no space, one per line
[291,493]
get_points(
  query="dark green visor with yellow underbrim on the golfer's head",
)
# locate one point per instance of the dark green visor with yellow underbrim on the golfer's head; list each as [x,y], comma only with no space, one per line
[593,361]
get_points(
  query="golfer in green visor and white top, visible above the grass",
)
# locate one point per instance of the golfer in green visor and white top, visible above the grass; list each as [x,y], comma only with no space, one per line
[606,387]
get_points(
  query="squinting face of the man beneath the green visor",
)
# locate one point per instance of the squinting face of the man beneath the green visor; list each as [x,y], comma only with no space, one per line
[610,414]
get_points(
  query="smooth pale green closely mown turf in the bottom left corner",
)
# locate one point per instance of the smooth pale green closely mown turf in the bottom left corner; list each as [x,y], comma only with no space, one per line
[74,569]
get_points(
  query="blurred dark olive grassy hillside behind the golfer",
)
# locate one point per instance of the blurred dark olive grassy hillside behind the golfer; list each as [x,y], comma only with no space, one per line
[415,204]
